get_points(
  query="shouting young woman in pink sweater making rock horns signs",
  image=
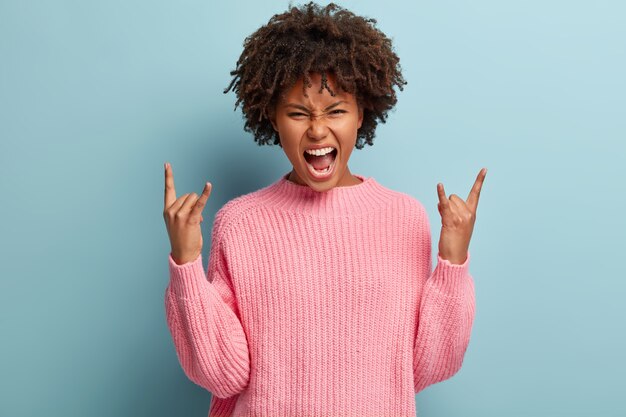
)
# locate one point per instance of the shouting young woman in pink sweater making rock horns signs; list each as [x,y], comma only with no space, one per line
[319,297]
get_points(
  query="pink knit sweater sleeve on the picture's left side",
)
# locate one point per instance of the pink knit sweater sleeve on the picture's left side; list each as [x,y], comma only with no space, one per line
[204,322]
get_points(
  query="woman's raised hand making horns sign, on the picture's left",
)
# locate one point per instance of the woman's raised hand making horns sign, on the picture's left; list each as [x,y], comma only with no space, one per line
[182,219]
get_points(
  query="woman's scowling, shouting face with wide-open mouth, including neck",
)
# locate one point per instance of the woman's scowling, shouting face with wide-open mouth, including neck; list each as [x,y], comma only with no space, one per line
[318,121]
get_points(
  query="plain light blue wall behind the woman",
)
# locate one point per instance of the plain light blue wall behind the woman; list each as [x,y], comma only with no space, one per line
[95,96]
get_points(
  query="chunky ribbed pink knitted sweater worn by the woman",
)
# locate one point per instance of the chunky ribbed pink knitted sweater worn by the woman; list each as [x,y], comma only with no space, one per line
[319,304]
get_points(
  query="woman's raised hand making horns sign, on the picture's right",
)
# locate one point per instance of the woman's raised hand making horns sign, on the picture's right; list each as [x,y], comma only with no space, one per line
[457,221]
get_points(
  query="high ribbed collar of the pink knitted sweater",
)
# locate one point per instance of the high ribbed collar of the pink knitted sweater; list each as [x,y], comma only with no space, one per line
[338,201]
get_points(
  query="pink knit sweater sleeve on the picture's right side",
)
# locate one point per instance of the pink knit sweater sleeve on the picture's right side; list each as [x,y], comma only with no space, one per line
[446,315]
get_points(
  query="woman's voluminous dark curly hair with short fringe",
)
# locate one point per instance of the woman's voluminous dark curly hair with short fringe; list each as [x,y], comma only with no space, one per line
[311,39]
